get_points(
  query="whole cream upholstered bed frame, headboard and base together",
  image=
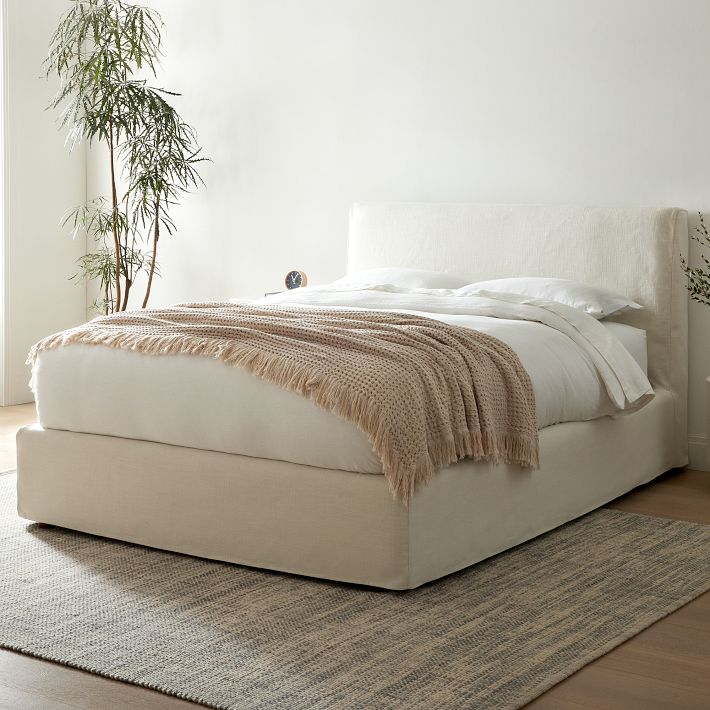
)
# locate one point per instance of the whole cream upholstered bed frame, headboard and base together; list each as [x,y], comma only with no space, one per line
[346,526]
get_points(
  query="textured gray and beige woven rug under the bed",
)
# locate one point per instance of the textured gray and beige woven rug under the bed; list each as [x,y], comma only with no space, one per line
[493,636]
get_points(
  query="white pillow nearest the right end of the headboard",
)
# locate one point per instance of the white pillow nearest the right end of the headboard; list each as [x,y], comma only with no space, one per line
[597,302]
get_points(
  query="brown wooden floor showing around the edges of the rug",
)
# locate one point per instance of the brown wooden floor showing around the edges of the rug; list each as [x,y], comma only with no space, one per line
[666,667]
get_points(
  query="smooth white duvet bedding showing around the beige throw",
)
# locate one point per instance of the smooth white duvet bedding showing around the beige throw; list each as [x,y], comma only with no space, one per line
[579,368]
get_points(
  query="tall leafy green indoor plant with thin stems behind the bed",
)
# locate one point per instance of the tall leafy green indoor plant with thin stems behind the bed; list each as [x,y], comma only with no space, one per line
[101,52]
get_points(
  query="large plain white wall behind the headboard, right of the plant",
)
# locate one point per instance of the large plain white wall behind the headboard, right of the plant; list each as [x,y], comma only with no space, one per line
[308,106]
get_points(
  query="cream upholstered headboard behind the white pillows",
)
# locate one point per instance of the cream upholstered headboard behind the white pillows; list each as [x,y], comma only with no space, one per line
[633,250]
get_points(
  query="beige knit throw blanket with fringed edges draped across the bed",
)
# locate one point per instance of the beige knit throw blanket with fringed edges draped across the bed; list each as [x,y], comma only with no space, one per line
[426,393]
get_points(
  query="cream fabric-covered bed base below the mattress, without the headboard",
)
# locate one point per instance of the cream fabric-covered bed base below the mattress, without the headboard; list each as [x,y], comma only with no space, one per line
[328,523]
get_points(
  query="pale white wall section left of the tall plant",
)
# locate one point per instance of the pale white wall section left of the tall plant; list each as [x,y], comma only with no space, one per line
[41,182]
